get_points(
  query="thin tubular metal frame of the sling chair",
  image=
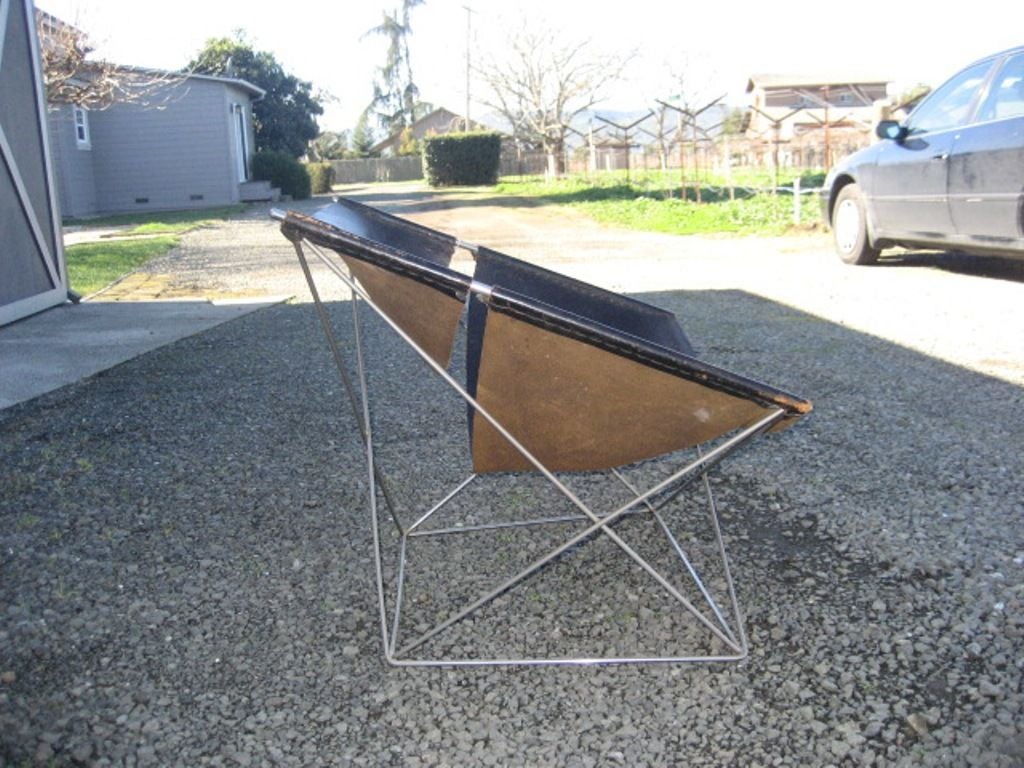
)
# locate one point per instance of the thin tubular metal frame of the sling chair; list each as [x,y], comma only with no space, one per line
[726,625]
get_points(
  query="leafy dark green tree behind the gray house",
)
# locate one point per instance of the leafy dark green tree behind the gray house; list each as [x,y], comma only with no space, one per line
[286,117]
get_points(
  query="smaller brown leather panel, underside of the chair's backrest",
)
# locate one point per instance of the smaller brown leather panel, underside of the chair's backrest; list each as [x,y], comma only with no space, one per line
[430,317]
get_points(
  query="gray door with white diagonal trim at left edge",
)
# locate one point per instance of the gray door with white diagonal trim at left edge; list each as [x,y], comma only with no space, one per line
[32,268]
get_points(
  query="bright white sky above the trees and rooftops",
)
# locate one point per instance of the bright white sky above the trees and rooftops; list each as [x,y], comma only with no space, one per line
[722,44]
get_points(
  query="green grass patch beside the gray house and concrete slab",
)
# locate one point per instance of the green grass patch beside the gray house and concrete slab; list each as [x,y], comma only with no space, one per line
[93,267]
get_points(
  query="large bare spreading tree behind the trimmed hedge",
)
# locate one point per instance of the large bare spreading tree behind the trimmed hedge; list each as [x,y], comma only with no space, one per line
[544,84]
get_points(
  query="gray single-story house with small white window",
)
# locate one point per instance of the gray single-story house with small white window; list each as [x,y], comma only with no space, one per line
[187,143]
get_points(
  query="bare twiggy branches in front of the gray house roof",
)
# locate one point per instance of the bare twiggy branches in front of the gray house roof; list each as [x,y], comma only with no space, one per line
[72,77]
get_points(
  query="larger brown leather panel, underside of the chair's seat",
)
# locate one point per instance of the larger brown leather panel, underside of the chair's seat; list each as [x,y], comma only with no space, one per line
[577,407]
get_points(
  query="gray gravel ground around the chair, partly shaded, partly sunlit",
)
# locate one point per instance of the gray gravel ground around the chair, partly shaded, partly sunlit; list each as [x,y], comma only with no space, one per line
[186,574]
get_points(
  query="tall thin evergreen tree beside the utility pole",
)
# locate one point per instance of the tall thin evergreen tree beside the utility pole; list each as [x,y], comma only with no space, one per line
[396,95]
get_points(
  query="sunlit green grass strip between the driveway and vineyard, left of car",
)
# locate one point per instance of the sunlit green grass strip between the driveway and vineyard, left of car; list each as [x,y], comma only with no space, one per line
[656,202]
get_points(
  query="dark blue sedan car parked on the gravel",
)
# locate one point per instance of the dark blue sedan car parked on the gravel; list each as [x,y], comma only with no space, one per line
[951,177]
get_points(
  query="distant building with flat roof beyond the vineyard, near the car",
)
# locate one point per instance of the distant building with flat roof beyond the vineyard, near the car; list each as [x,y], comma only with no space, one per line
[801,104]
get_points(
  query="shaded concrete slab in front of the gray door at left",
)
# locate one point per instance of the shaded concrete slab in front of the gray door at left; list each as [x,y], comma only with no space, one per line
[71,343]
